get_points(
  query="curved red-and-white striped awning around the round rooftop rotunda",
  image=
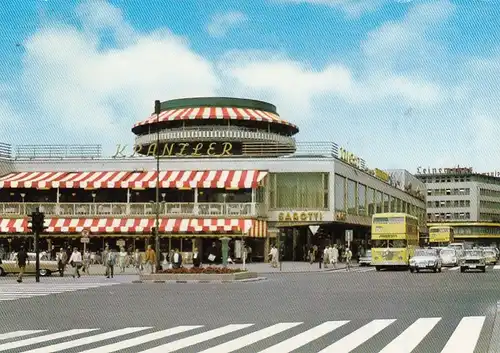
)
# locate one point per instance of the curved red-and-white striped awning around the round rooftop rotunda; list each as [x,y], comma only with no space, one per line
[208,113]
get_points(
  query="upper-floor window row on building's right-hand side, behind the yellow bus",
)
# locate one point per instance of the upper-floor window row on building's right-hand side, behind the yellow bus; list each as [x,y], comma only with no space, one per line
[358,199]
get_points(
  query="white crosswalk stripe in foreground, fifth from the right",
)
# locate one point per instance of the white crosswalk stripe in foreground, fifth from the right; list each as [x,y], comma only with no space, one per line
[251,338]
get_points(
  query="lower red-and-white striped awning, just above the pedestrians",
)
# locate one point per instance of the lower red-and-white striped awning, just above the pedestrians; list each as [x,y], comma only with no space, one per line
[131,225]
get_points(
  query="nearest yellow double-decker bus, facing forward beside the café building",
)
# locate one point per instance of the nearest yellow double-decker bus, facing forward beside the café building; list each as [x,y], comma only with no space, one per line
[395,237]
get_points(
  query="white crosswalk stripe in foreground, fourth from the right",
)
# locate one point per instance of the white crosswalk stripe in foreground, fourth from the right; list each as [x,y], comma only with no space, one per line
[304,338]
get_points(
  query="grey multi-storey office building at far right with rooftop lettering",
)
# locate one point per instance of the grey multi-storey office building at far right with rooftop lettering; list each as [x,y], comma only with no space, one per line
[468,201]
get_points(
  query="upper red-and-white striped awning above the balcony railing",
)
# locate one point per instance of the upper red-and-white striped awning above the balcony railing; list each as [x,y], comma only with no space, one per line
[230,179]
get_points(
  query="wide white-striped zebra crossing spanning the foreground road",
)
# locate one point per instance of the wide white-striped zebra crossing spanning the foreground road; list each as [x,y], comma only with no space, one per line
[281,337]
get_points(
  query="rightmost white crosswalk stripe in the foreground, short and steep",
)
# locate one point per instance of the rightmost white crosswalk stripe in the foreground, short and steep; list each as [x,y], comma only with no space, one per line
[465,336]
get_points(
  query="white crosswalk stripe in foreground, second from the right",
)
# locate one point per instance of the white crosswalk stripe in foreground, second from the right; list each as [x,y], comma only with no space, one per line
[412,336]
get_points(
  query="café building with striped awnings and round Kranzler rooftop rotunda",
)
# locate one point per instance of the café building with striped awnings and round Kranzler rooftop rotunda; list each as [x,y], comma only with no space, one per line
[228,168]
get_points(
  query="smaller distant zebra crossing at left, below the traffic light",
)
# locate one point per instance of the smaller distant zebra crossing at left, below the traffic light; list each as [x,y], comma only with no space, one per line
[14,291]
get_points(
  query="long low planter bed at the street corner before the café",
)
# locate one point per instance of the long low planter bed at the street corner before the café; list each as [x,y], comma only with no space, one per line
[237,276]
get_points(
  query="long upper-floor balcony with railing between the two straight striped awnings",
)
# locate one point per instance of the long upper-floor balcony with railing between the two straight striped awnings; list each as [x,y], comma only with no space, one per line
[167,209]
